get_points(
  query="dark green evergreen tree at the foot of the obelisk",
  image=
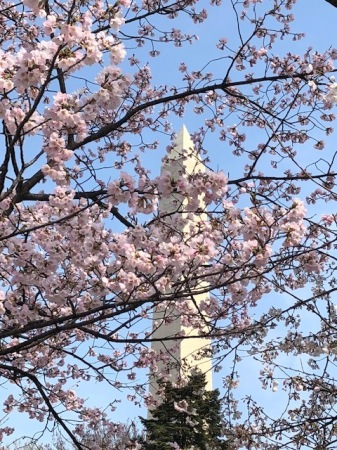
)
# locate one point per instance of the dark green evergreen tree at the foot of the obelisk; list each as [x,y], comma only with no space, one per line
[189,416]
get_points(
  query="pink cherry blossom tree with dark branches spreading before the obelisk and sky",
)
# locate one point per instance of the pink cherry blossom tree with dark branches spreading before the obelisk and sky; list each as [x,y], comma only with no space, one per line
[86,255]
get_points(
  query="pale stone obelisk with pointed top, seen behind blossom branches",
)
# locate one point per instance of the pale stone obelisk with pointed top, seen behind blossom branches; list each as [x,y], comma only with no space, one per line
[182,356]
